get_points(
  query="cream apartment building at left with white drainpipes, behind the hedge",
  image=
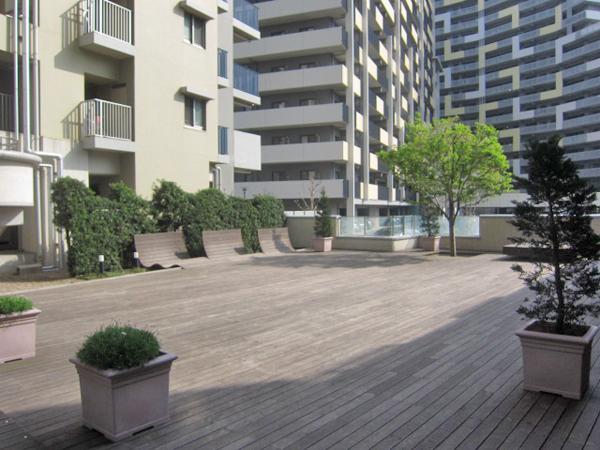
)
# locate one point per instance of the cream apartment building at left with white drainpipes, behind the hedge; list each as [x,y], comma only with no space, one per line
[126,90]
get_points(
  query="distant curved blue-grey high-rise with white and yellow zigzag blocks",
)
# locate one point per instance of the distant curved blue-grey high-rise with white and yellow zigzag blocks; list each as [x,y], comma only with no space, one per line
[531,68]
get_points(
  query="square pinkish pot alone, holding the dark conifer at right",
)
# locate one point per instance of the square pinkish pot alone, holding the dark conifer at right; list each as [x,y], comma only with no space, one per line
[555,363]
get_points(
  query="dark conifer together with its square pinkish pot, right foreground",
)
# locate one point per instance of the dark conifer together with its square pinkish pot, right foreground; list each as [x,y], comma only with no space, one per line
[555,224]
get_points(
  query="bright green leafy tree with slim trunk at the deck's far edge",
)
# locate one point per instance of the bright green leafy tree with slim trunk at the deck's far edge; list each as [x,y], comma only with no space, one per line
[451,166]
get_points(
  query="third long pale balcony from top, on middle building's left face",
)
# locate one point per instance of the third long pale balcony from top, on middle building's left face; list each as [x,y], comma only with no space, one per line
[327,77]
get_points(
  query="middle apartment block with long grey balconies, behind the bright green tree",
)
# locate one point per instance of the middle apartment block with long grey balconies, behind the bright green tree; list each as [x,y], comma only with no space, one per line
[338,81]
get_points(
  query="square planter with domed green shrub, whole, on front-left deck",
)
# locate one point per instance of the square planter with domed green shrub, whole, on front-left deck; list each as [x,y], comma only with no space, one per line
[124,381]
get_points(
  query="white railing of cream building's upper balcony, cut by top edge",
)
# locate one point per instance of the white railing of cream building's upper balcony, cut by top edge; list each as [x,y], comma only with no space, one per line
[108,18]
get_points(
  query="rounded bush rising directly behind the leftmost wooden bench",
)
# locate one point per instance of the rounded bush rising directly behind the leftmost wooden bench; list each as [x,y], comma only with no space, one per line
[170,205]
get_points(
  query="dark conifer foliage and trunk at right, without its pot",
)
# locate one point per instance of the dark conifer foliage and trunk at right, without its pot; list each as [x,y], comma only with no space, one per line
[555,223]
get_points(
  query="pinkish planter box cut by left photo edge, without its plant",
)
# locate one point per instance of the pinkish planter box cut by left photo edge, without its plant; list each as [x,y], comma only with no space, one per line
[17,335]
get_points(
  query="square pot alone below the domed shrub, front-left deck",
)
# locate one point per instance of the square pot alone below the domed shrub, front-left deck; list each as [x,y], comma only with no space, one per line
[118,403]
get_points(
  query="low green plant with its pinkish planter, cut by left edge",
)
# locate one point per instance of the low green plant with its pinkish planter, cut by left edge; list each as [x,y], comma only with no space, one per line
[18,318]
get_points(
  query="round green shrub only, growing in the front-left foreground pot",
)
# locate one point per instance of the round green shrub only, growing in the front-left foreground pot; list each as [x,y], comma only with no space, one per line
[119,347]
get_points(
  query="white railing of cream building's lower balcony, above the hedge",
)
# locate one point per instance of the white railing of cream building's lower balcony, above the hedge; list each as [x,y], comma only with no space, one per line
[106,119]
